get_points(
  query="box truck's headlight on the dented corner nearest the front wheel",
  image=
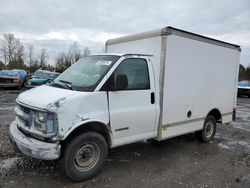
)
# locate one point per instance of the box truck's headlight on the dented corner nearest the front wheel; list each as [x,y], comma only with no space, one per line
[46,123]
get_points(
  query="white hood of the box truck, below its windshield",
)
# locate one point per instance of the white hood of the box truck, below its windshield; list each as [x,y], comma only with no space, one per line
[42,96]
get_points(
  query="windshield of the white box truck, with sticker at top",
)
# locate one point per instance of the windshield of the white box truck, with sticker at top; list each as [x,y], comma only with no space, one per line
[85,74]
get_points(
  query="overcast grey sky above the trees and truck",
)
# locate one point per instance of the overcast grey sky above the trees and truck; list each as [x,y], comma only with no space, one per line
[55,24]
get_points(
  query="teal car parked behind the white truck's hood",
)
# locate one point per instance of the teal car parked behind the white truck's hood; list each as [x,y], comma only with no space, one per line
[41,77]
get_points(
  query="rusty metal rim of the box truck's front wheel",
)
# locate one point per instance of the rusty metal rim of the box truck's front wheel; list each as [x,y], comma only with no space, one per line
[87,156]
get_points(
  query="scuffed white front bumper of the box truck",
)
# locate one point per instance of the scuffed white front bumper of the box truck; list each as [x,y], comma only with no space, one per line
[32,147]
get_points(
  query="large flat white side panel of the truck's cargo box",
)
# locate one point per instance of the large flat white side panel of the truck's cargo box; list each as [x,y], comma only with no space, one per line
[198,77]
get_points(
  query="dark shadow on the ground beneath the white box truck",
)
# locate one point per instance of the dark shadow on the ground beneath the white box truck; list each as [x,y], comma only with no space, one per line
[126,161]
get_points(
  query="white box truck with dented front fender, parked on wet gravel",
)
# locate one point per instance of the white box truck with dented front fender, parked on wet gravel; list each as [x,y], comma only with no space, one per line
[153,85]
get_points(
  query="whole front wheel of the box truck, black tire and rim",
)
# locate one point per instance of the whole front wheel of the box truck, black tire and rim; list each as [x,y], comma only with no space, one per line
[85,156]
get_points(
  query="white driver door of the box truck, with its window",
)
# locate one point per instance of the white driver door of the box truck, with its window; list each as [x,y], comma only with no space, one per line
[132,109]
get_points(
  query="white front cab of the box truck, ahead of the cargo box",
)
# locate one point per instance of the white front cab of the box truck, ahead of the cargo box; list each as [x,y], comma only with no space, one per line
[111,96]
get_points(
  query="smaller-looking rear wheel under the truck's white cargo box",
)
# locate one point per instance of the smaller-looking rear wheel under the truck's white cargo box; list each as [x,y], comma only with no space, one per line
[209,129]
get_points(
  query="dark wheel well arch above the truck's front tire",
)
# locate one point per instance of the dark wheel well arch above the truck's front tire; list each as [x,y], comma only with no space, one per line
[92,126]
